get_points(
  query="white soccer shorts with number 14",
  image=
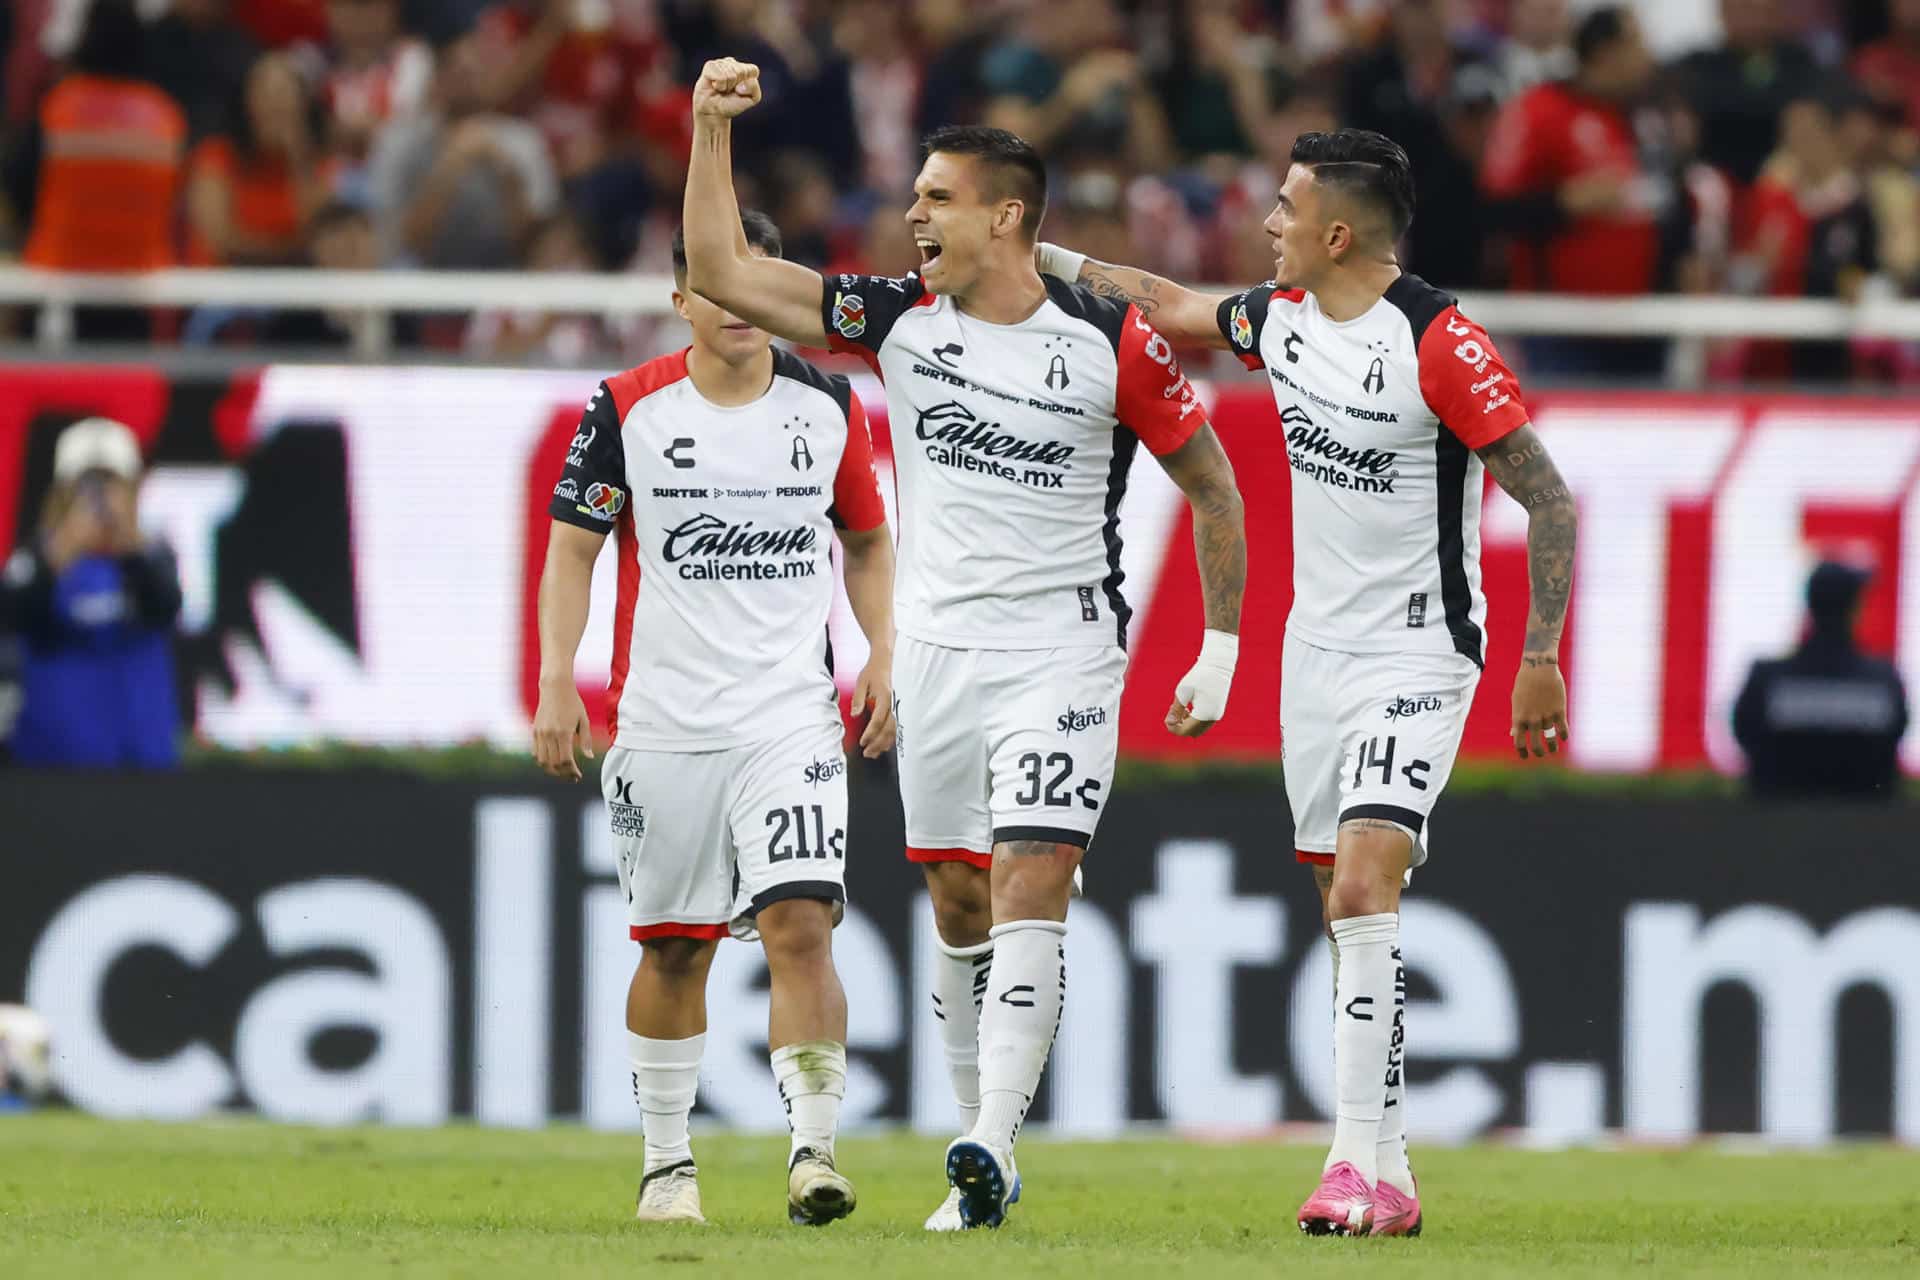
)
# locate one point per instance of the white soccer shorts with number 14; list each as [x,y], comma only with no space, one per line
[1370,736]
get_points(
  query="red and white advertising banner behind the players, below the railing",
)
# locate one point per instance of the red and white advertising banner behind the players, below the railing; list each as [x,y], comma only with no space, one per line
[360,552]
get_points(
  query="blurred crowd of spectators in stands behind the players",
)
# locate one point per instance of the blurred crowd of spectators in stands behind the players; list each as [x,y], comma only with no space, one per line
[1752,147]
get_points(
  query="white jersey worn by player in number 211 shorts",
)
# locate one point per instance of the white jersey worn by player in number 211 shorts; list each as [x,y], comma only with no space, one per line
[725,517]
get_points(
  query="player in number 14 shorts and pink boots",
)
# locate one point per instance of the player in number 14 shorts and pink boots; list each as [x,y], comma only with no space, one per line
[1393,402]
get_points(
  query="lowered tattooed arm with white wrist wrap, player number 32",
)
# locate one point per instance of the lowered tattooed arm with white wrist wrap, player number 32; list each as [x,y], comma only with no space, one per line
[1205,475]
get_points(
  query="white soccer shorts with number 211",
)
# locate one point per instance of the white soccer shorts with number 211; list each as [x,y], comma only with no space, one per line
[708,840]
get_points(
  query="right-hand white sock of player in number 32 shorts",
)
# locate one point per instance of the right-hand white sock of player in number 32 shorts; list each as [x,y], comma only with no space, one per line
[1026,991]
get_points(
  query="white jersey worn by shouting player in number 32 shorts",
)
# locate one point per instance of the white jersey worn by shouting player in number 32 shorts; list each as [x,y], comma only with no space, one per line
[1011,448]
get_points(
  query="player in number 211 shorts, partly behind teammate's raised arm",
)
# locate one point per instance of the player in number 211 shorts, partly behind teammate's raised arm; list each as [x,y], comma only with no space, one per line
[725,471]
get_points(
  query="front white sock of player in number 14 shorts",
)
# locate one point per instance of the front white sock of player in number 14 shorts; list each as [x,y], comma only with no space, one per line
[1362,1033]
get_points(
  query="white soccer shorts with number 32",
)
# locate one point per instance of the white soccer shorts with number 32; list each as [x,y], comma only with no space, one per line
[1003,746]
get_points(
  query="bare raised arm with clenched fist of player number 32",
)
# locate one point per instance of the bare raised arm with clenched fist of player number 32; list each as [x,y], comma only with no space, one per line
[779,296]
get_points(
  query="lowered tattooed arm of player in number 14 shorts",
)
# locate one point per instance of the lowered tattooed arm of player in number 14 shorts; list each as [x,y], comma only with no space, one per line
[1522,465]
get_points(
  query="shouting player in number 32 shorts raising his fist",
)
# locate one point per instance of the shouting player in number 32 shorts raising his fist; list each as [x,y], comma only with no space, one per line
[1017,410]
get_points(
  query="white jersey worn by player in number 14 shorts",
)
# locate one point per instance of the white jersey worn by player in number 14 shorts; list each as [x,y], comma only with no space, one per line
[1383,415]
